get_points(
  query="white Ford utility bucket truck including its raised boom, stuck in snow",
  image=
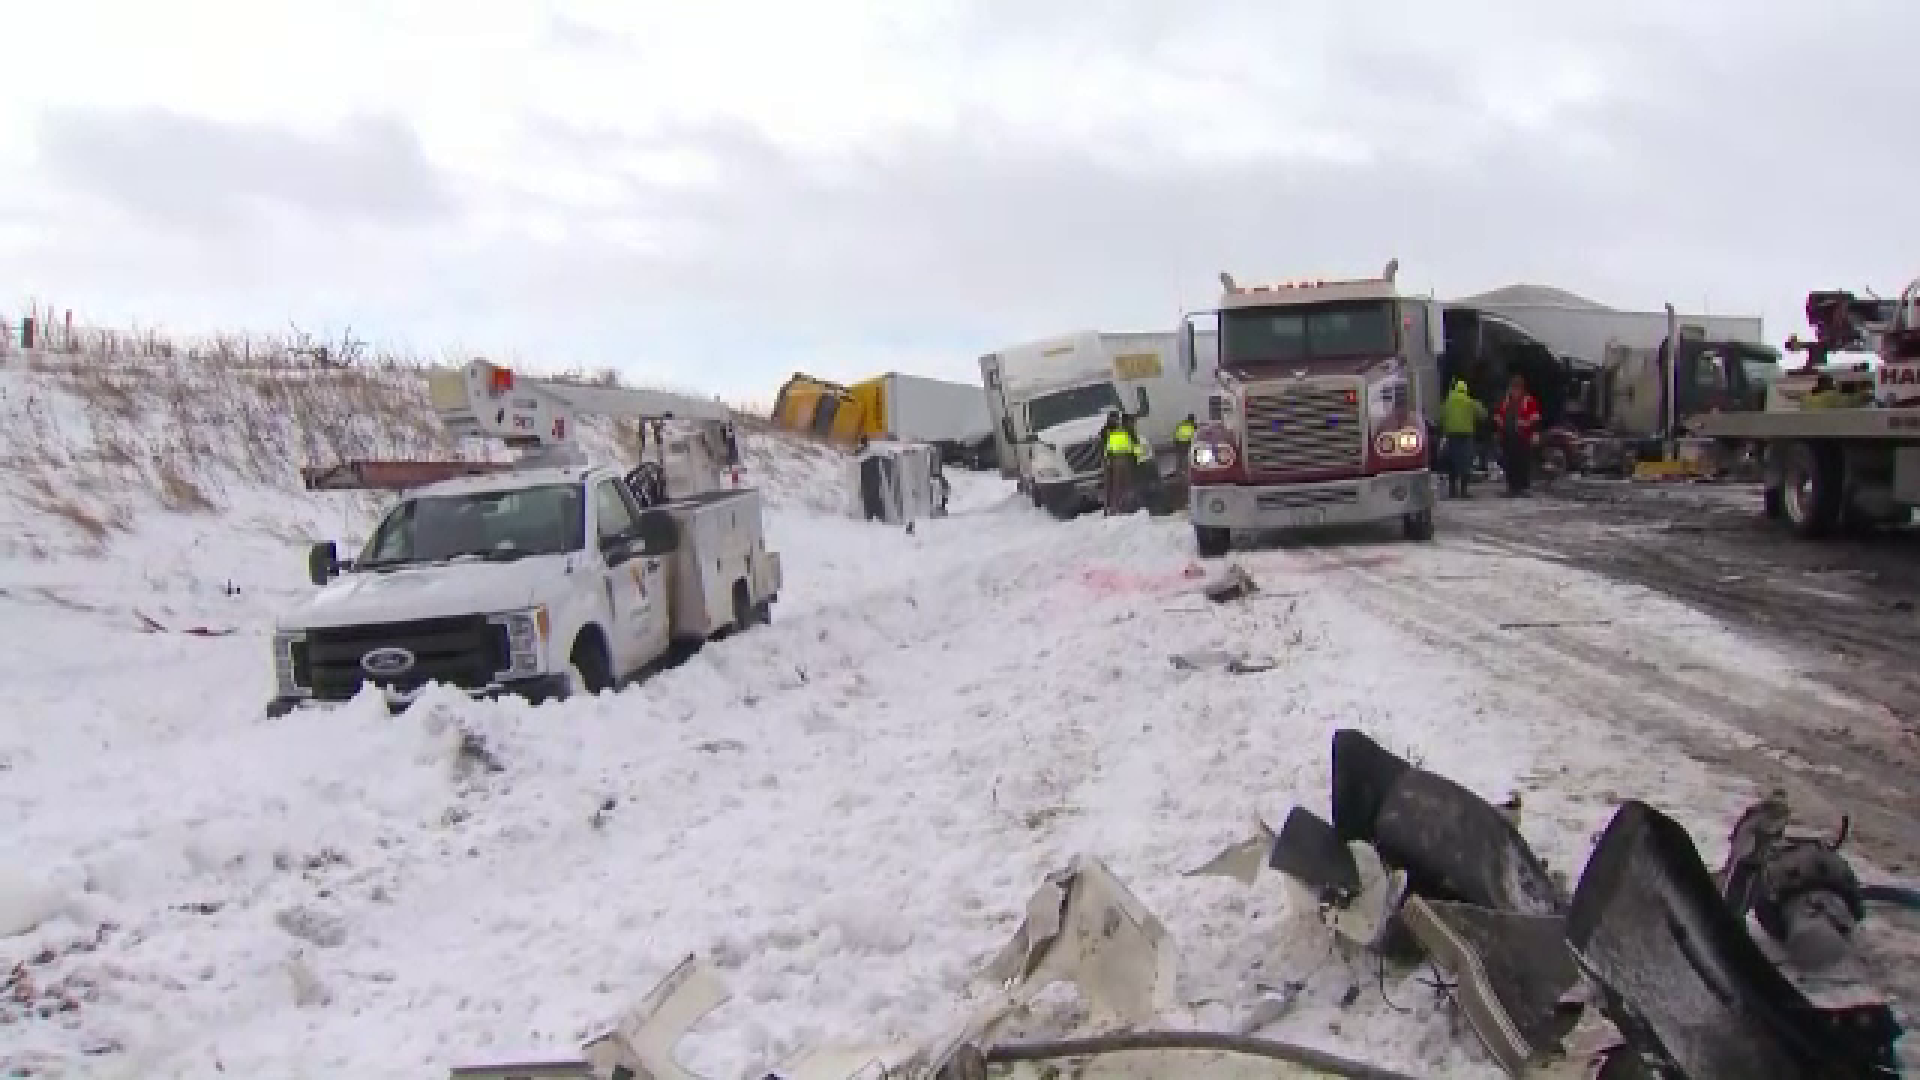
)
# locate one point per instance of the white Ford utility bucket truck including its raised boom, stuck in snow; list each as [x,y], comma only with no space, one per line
[544,579]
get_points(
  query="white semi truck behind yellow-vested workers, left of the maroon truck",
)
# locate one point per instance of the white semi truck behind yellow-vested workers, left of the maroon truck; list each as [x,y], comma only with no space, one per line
[1051,399]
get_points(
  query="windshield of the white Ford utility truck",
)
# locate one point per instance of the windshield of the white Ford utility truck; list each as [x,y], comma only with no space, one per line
[491,526]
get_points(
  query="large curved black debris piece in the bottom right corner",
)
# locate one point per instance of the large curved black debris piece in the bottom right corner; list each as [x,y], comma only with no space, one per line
[1687,985]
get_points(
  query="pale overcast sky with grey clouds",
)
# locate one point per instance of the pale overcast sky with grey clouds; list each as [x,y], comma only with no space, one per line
[717,195]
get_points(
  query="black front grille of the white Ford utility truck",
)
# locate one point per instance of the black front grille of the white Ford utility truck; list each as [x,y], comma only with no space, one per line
[464,650]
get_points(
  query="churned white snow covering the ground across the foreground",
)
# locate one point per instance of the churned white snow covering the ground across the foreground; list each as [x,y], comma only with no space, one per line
[844,810]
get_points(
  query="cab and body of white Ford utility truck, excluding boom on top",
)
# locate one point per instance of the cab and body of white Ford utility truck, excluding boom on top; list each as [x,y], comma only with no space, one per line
[537,583]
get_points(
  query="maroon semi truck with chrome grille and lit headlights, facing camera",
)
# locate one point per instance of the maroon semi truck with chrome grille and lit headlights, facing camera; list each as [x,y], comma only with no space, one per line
[1322,408]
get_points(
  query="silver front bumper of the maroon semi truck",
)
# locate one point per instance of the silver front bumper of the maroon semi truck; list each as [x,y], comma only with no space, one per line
[1259,508]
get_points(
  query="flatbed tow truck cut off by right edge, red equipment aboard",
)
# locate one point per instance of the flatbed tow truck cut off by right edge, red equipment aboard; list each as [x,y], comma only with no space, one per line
[1854,464]
